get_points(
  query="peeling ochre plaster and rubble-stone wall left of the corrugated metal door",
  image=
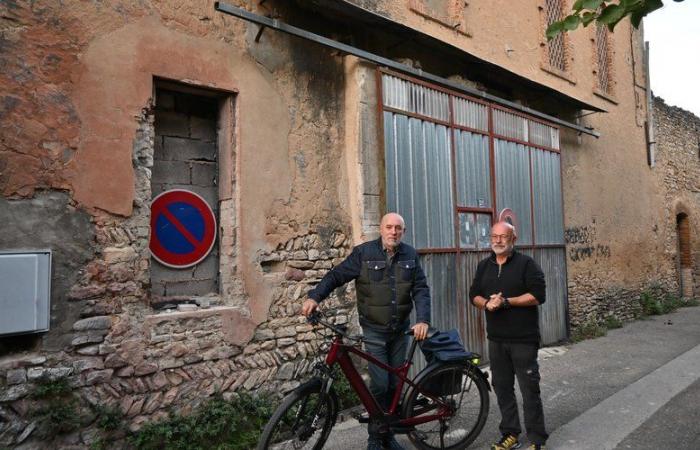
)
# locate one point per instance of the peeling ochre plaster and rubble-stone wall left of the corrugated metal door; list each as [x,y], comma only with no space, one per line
[77,85]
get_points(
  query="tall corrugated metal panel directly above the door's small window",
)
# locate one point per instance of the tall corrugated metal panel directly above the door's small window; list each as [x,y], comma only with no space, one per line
[473,175]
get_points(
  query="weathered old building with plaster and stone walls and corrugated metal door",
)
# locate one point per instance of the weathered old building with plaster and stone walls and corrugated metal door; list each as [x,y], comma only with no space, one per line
[446,112]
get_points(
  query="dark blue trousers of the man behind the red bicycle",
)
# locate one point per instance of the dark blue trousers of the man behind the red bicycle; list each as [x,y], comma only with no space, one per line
[382,384]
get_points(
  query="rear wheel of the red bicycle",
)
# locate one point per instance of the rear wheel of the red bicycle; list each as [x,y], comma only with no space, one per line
[465,391]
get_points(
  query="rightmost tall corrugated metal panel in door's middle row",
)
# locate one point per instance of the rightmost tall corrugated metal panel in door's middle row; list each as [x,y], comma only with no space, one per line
[546,179]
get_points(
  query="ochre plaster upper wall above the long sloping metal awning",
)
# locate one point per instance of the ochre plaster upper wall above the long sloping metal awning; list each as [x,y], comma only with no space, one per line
[509,34]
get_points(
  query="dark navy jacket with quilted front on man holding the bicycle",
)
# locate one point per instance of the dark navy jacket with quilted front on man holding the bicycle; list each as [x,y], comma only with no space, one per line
[386,288]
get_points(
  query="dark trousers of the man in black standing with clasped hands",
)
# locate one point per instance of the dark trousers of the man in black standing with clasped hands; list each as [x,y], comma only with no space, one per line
[510,360]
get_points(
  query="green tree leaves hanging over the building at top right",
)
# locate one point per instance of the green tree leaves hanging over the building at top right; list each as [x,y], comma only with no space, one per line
[603,12]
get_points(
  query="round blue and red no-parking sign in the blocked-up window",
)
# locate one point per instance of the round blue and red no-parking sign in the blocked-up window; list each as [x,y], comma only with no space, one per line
[183,228]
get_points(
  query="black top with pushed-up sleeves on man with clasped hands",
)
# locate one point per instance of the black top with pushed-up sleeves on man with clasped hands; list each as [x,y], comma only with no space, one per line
[519,275]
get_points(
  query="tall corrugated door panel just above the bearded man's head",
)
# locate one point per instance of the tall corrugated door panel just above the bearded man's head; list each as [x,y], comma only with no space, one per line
[513,184]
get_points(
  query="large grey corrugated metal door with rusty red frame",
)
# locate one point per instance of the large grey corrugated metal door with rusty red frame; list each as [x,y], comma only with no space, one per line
[447,158]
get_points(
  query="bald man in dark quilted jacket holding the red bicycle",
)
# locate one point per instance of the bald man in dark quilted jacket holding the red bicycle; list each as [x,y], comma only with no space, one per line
[388,281]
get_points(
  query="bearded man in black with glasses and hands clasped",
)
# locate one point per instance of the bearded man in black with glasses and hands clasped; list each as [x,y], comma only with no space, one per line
[509,286]
